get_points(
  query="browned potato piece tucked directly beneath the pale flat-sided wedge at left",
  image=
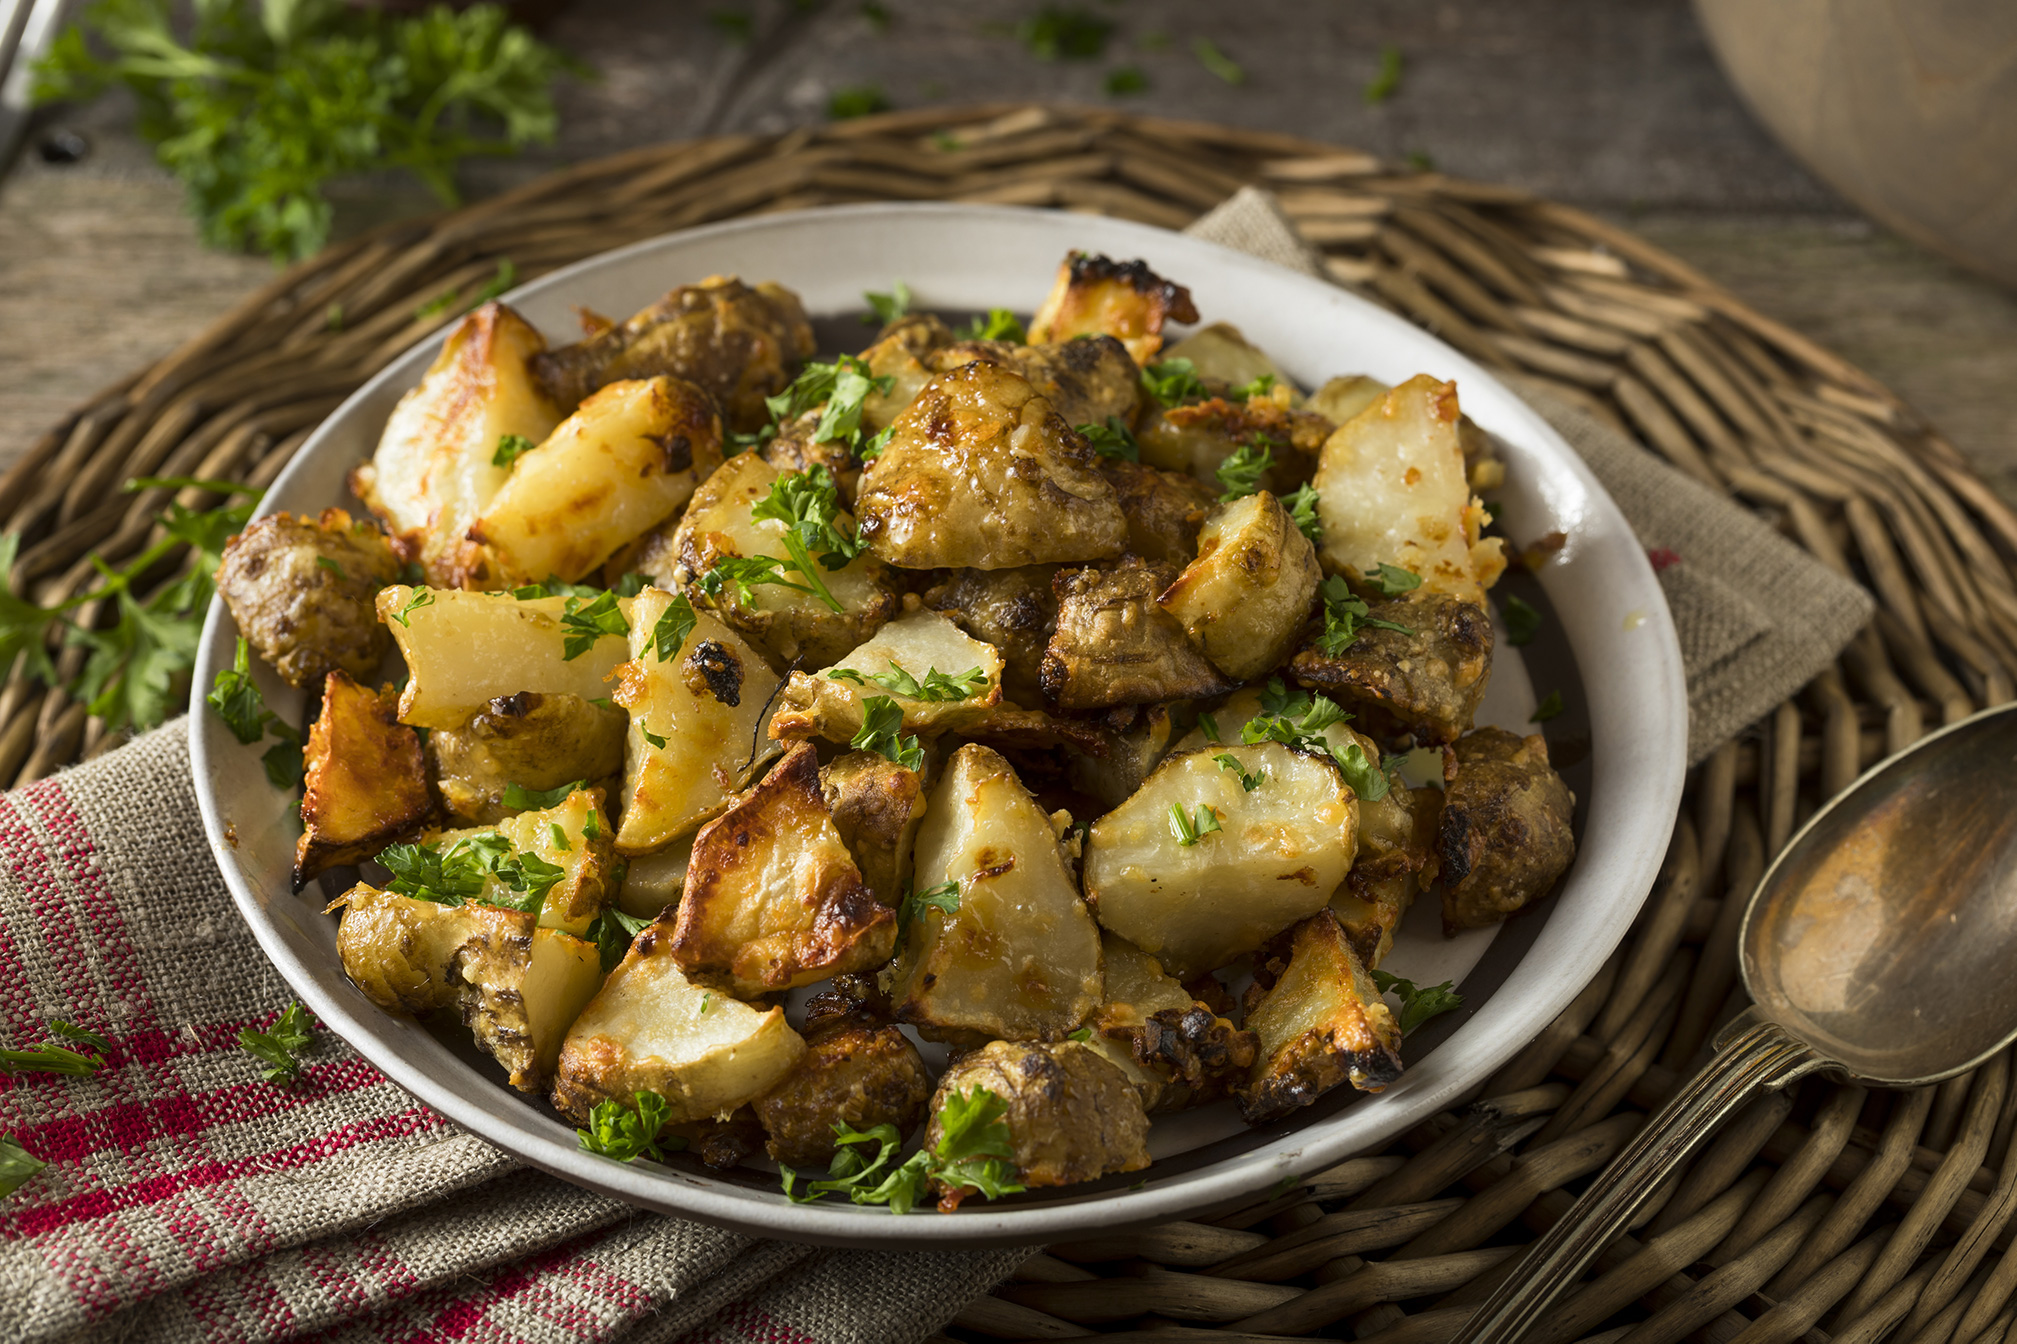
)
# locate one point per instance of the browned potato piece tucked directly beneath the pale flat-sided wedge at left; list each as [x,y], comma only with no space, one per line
[531,742]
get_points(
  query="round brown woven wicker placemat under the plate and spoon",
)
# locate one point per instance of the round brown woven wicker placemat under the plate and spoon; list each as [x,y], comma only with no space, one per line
[1824,1212]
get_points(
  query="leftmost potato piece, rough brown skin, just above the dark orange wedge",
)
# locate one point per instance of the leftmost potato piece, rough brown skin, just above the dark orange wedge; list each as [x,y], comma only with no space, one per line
[304,590]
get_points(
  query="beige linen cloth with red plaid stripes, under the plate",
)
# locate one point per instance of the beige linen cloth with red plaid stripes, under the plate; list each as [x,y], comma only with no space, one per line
[189,1200]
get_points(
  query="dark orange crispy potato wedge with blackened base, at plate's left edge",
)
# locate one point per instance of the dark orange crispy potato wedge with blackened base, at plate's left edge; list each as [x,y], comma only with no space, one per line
[366,782]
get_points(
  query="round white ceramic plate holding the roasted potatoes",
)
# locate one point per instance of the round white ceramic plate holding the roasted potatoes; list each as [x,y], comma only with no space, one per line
[1609,647]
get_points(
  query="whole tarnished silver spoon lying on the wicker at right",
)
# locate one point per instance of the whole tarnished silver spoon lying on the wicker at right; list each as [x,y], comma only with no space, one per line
[1879,945]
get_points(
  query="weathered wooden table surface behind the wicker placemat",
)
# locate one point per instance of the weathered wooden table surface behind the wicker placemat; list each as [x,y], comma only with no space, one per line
[1607,104]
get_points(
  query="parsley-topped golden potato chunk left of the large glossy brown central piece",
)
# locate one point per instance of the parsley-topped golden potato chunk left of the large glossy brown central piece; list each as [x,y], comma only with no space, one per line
[792,625]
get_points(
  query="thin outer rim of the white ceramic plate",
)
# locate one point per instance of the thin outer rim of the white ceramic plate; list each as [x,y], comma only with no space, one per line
[1185,1196]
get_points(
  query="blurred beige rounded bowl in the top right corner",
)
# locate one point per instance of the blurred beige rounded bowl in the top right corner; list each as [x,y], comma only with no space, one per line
[1909,108]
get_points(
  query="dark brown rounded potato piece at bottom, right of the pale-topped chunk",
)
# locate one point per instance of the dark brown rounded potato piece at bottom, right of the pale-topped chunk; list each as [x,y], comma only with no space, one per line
[852,1071]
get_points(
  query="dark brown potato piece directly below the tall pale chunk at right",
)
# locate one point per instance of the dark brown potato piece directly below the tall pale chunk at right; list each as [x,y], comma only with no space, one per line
[1425,681]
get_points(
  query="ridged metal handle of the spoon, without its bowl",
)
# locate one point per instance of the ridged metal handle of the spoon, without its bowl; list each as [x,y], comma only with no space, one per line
[1752,1058]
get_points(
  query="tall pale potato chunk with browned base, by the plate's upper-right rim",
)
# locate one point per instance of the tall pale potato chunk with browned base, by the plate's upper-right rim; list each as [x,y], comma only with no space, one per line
[1393,491]
